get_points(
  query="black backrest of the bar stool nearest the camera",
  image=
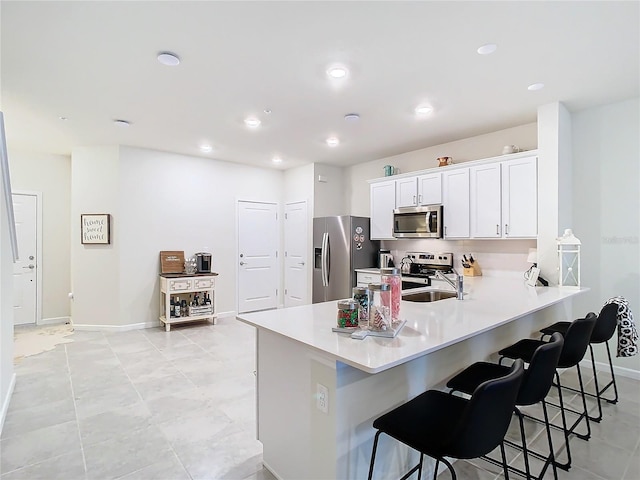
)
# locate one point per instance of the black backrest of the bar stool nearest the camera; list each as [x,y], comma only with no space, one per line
[486,418]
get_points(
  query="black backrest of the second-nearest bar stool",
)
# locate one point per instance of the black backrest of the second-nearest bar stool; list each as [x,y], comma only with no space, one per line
[538,377]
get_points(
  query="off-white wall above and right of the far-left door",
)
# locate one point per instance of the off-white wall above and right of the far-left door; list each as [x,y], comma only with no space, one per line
[51,176]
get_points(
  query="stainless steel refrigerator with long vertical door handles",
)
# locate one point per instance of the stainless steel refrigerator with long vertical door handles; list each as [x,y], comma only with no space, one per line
[340,245]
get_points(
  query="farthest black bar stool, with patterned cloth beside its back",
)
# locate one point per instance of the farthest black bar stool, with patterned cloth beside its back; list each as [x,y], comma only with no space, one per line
[602,332]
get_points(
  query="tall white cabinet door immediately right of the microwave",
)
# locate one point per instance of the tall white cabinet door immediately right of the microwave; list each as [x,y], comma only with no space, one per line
[455,201]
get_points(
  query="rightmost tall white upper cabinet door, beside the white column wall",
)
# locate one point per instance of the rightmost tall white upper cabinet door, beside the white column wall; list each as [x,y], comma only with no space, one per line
[520,198]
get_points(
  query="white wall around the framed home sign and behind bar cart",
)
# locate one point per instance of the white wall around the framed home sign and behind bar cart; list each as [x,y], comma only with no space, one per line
[159,201]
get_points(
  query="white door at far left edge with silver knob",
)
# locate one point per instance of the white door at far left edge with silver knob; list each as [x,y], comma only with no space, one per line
[25,284]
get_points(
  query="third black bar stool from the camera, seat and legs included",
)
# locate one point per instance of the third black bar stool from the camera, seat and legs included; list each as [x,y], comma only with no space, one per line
[576,340]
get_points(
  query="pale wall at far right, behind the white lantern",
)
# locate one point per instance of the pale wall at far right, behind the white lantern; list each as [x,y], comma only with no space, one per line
[606,215]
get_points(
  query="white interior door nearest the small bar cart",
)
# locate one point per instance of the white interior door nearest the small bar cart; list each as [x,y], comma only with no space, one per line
[257,256]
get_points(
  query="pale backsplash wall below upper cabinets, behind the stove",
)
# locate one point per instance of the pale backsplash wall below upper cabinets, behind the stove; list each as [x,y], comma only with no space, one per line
[495,257]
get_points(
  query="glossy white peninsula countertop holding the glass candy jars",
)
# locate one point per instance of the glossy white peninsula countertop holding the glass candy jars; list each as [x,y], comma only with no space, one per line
[488,303]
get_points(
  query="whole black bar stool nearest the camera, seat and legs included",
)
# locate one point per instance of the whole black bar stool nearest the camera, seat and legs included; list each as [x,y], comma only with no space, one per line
[441,425]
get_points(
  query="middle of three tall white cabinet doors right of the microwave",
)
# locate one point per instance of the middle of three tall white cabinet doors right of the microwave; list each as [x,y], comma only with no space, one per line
[486,201]
